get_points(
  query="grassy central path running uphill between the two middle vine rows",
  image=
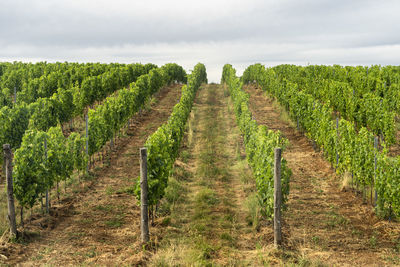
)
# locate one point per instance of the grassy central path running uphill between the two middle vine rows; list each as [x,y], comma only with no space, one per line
[210,223]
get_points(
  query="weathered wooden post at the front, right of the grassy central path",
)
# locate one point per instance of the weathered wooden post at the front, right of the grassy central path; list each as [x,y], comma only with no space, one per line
[277,198]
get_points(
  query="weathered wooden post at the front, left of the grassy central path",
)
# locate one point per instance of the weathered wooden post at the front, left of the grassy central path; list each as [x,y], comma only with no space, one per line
[144,225]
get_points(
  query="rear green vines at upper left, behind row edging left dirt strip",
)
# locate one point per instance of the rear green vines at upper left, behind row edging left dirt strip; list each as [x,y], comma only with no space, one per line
[78,86]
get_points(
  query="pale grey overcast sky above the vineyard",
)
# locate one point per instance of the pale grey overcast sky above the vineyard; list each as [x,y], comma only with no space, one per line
[215,32]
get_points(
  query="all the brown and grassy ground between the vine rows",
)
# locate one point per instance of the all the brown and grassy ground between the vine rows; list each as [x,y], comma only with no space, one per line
[210,214]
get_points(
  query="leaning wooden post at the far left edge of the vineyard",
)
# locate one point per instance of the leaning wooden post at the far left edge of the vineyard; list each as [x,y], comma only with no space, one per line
[10,192]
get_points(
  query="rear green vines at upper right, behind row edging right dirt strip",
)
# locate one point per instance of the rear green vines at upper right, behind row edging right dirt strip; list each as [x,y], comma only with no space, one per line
[350,91]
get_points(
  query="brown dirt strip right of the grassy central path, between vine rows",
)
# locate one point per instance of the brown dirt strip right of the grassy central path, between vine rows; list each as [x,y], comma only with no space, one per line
[325,224]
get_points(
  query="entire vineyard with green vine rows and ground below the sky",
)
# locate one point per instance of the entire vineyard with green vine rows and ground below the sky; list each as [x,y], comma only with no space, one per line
[211,189]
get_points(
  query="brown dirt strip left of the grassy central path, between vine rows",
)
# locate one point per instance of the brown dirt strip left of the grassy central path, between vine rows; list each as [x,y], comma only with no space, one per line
[100,225]
